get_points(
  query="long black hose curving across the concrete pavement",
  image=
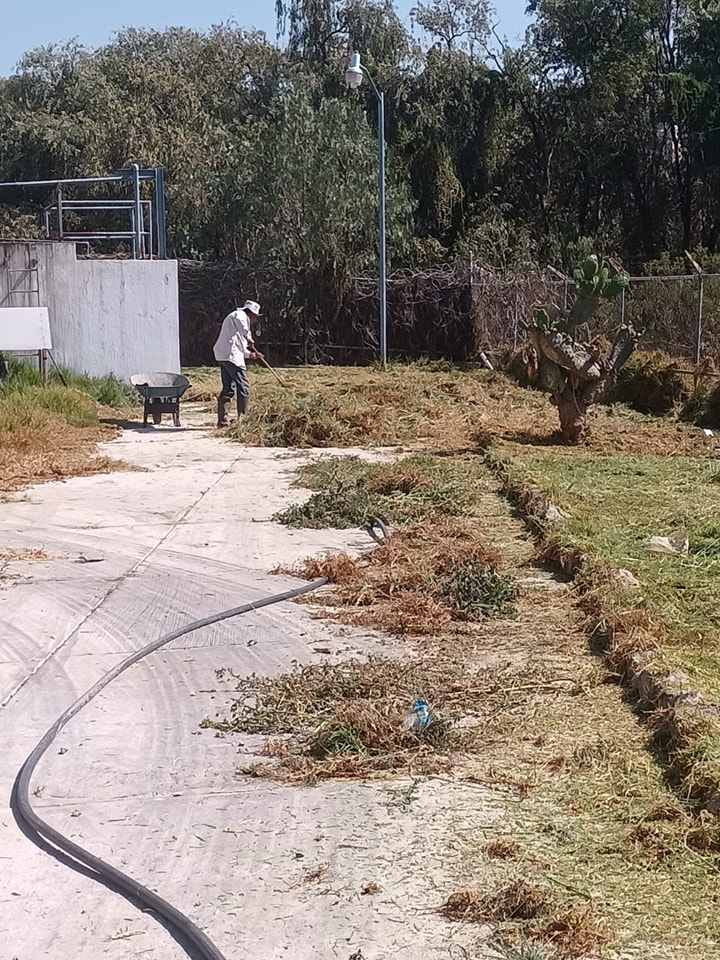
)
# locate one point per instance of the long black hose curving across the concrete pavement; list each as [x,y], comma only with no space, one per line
[47,838]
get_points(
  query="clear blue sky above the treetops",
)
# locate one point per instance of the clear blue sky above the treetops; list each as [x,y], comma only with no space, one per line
[93,22]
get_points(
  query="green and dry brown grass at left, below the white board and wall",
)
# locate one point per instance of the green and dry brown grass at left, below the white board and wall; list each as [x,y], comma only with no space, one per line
[51,432]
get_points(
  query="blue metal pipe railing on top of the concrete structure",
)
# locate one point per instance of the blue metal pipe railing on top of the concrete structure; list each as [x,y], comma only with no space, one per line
[145,230]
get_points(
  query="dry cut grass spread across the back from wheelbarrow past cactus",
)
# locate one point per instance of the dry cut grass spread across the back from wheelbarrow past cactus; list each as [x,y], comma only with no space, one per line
[418,406]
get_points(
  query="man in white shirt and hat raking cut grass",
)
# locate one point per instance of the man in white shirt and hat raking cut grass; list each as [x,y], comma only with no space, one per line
[232,348]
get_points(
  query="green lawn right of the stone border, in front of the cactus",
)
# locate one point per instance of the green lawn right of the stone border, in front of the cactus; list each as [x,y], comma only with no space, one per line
[616,504]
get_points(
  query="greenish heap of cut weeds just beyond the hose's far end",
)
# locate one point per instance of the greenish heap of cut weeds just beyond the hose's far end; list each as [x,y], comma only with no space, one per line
[351,492]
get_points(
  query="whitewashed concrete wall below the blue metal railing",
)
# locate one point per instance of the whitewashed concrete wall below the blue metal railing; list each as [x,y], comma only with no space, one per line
[106,316]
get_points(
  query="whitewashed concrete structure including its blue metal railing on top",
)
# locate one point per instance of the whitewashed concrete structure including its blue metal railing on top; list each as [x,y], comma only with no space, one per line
[101,275]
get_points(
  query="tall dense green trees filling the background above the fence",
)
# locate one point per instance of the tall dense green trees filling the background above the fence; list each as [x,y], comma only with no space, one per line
[601,131]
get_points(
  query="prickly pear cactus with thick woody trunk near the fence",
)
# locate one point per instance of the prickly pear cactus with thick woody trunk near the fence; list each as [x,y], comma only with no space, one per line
[575,370]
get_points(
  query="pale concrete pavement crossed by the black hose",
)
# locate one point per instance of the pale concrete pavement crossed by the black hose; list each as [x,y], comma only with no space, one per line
[133,555]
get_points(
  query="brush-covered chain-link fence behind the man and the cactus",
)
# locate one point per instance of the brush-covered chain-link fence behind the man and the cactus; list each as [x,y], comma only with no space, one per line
[456,313]
